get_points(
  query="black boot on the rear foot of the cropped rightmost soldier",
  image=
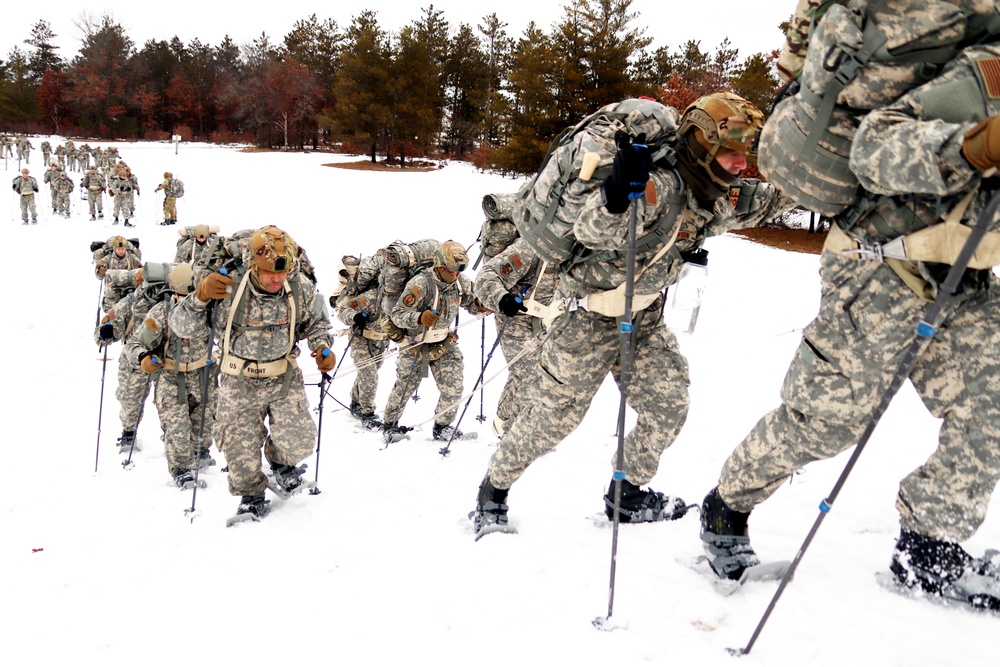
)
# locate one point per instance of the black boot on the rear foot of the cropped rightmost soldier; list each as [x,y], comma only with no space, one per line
[725,538]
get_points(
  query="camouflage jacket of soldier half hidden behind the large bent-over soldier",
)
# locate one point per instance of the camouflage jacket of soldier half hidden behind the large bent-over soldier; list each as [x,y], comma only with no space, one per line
[515,270]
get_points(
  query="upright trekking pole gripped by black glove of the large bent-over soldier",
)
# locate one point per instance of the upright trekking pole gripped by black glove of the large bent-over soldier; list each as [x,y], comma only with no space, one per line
[625,330]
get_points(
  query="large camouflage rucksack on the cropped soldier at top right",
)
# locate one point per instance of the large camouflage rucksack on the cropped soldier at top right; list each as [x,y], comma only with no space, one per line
[860,57]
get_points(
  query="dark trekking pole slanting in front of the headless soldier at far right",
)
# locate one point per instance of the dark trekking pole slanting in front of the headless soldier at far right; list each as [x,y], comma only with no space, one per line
[925,330]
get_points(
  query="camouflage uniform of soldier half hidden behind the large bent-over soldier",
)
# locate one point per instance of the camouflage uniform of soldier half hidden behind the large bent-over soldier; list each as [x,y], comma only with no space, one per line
[516,270]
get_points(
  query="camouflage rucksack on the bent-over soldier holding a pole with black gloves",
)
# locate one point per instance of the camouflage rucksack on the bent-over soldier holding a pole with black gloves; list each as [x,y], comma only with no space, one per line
[537,213]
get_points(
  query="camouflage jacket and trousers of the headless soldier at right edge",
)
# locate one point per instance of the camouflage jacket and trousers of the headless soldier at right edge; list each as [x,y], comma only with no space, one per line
[868,315]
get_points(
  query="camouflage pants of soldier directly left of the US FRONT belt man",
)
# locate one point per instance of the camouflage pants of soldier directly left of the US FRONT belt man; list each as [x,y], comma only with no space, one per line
[180,411]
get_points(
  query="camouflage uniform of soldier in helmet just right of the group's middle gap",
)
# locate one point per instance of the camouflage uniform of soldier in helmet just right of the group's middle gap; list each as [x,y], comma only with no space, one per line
[426,291]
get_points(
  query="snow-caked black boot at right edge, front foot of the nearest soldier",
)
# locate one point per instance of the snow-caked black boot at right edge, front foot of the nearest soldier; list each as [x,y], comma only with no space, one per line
[946,570]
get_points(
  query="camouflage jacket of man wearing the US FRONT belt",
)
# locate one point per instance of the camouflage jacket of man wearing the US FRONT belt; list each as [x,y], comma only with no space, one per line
[260,328]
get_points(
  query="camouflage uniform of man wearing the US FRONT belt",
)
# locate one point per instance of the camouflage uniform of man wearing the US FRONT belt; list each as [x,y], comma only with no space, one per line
[260,334]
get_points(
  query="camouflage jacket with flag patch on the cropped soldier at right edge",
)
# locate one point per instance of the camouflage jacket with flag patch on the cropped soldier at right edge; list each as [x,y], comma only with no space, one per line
[914,147]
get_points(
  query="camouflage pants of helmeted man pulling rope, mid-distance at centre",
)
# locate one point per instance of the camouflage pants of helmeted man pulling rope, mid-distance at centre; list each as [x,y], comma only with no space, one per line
[447,372]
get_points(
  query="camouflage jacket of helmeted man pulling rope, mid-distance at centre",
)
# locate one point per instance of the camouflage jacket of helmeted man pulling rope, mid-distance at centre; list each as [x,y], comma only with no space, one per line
[425,291]
